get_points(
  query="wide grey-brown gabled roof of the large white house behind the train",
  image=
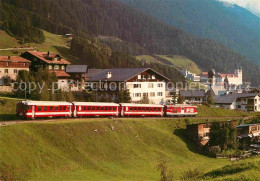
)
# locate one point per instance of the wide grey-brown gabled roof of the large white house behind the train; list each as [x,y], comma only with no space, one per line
[118,74]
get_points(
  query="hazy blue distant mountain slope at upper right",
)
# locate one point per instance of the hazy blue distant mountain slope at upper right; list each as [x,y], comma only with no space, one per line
[231,25]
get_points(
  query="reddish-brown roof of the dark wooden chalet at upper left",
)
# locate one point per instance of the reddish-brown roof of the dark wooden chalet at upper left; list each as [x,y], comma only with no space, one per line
[48,57]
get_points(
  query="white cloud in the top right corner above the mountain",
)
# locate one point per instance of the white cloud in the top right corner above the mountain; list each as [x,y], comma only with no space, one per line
[252,5]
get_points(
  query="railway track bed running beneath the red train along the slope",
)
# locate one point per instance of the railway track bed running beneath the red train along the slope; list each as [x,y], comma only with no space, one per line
[8,123]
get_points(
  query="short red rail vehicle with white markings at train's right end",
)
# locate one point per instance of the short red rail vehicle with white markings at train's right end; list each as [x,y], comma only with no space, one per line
[180,110]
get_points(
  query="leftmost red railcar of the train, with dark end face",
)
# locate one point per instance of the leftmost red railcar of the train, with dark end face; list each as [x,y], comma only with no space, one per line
[43,109]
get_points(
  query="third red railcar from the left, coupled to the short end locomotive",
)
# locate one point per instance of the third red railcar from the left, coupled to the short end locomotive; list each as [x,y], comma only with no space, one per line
[141,110]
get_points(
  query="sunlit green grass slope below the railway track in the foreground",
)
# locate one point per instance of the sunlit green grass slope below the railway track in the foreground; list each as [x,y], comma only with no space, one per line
[73,150]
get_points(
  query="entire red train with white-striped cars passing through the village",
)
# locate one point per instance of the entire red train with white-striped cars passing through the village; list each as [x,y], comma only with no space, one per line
[49,109]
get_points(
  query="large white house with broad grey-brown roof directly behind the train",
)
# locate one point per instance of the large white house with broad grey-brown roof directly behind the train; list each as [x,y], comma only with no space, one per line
[139,81]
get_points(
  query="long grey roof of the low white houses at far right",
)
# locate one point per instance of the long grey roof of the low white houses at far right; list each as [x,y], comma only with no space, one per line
[229,99]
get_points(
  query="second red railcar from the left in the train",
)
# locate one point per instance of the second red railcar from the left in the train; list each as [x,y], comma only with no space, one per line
[81,109]
